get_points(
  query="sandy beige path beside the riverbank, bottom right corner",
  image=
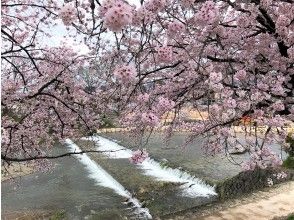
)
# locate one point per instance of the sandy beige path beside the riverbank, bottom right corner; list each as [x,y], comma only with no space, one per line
[275,202]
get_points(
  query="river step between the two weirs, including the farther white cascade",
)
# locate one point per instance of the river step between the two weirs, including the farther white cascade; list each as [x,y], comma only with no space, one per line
[162,190]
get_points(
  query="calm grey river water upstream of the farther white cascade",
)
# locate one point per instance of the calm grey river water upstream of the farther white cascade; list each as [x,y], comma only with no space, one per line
[191,157]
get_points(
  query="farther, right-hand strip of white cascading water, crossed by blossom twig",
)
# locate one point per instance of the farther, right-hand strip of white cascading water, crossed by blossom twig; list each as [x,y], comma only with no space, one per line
[192,186]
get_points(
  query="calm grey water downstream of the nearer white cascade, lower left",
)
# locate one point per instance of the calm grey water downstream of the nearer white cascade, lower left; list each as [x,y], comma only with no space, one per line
[66,187]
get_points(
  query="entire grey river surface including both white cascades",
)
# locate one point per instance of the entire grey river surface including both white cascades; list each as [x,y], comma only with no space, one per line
[107,186]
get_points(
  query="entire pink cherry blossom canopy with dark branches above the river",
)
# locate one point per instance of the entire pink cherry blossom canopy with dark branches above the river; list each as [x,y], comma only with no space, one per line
[162,56]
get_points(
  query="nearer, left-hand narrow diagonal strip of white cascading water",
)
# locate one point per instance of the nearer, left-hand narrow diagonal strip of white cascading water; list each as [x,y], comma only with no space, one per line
[102,178]
